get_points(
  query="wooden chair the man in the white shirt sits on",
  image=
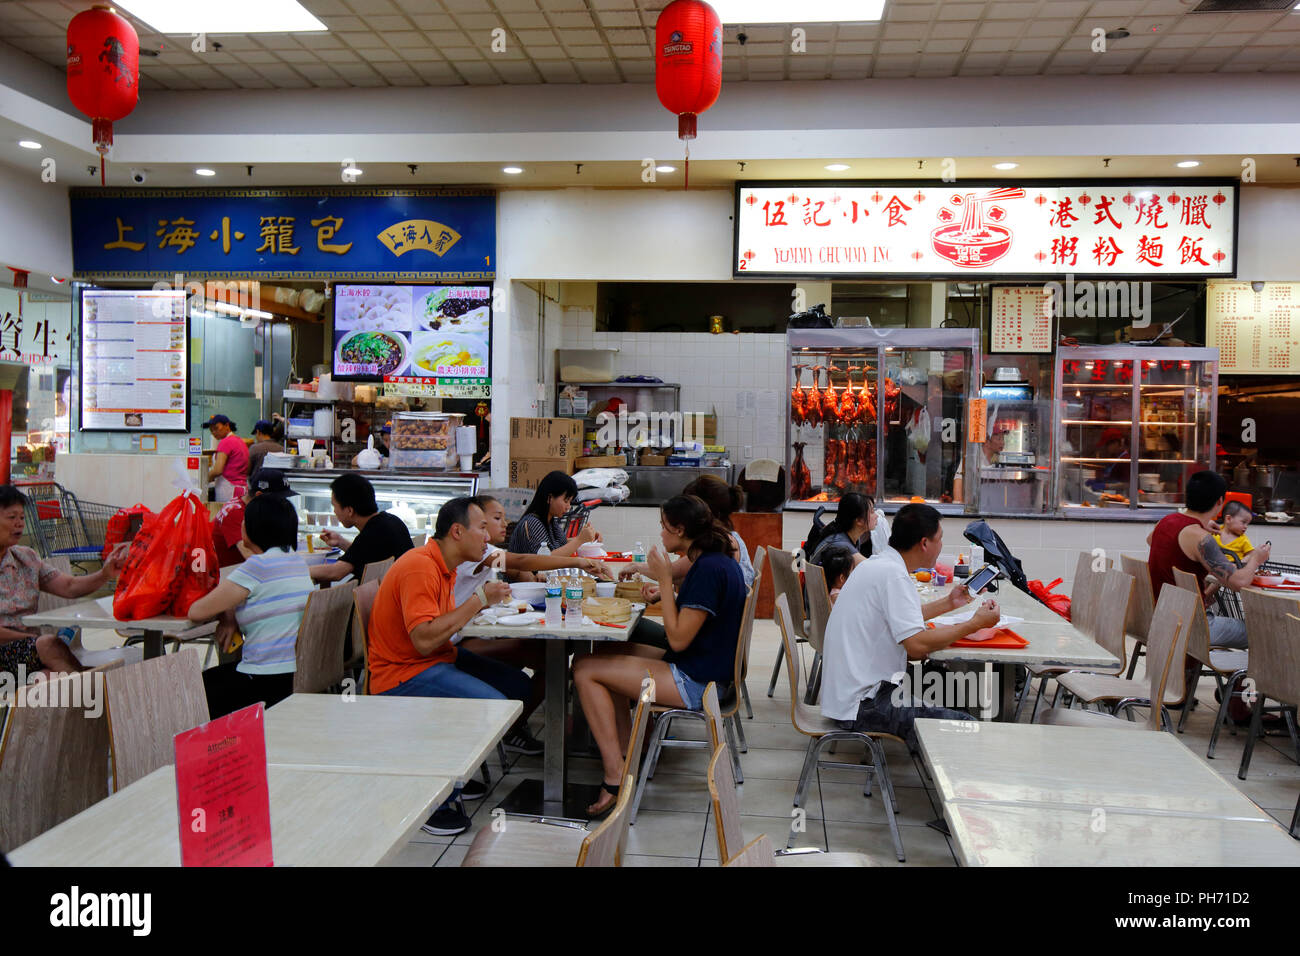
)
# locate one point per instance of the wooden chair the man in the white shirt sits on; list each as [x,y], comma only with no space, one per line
[822,732]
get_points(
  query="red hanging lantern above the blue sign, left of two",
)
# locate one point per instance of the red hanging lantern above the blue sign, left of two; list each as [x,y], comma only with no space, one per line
[103,71]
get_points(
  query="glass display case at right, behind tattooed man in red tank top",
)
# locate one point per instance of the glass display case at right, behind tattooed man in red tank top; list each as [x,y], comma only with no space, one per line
[1156,406]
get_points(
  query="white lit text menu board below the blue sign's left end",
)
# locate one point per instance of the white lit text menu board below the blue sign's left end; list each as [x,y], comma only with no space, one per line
[135,361]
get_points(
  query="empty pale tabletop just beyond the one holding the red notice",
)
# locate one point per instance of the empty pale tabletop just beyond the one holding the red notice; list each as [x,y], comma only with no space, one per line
[441,737]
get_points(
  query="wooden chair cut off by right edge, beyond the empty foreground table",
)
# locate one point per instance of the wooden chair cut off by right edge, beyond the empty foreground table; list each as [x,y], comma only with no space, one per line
[1275,622]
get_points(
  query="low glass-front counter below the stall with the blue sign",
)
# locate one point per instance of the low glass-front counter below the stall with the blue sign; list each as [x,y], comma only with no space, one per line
[415,499]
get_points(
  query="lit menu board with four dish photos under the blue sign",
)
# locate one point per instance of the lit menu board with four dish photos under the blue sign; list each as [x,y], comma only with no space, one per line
[436,336]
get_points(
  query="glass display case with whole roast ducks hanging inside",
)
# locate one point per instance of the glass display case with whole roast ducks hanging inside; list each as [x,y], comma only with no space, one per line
[879,412]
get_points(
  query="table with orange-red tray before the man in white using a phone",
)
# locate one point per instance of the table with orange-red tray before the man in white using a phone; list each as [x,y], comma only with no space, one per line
[1052,641]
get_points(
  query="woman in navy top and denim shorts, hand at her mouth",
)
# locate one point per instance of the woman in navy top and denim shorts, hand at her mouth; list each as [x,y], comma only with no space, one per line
[703,626]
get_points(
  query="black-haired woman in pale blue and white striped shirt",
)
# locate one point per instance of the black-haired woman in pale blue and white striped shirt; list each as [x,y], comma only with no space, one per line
[266,599]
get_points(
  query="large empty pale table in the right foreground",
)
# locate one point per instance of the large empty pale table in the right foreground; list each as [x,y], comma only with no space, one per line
[1025,795]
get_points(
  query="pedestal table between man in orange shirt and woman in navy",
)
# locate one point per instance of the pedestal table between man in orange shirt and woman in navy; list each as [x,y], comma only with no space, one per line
[553,798]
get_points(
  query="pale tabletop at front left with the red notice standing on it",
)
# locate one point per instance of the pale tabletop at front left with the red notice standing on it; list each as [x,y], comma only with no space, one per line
[317,820]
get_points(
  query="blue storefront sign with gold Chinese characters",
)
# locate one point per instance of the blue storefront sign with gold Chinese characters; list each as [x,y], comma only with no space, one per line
[326,233]
